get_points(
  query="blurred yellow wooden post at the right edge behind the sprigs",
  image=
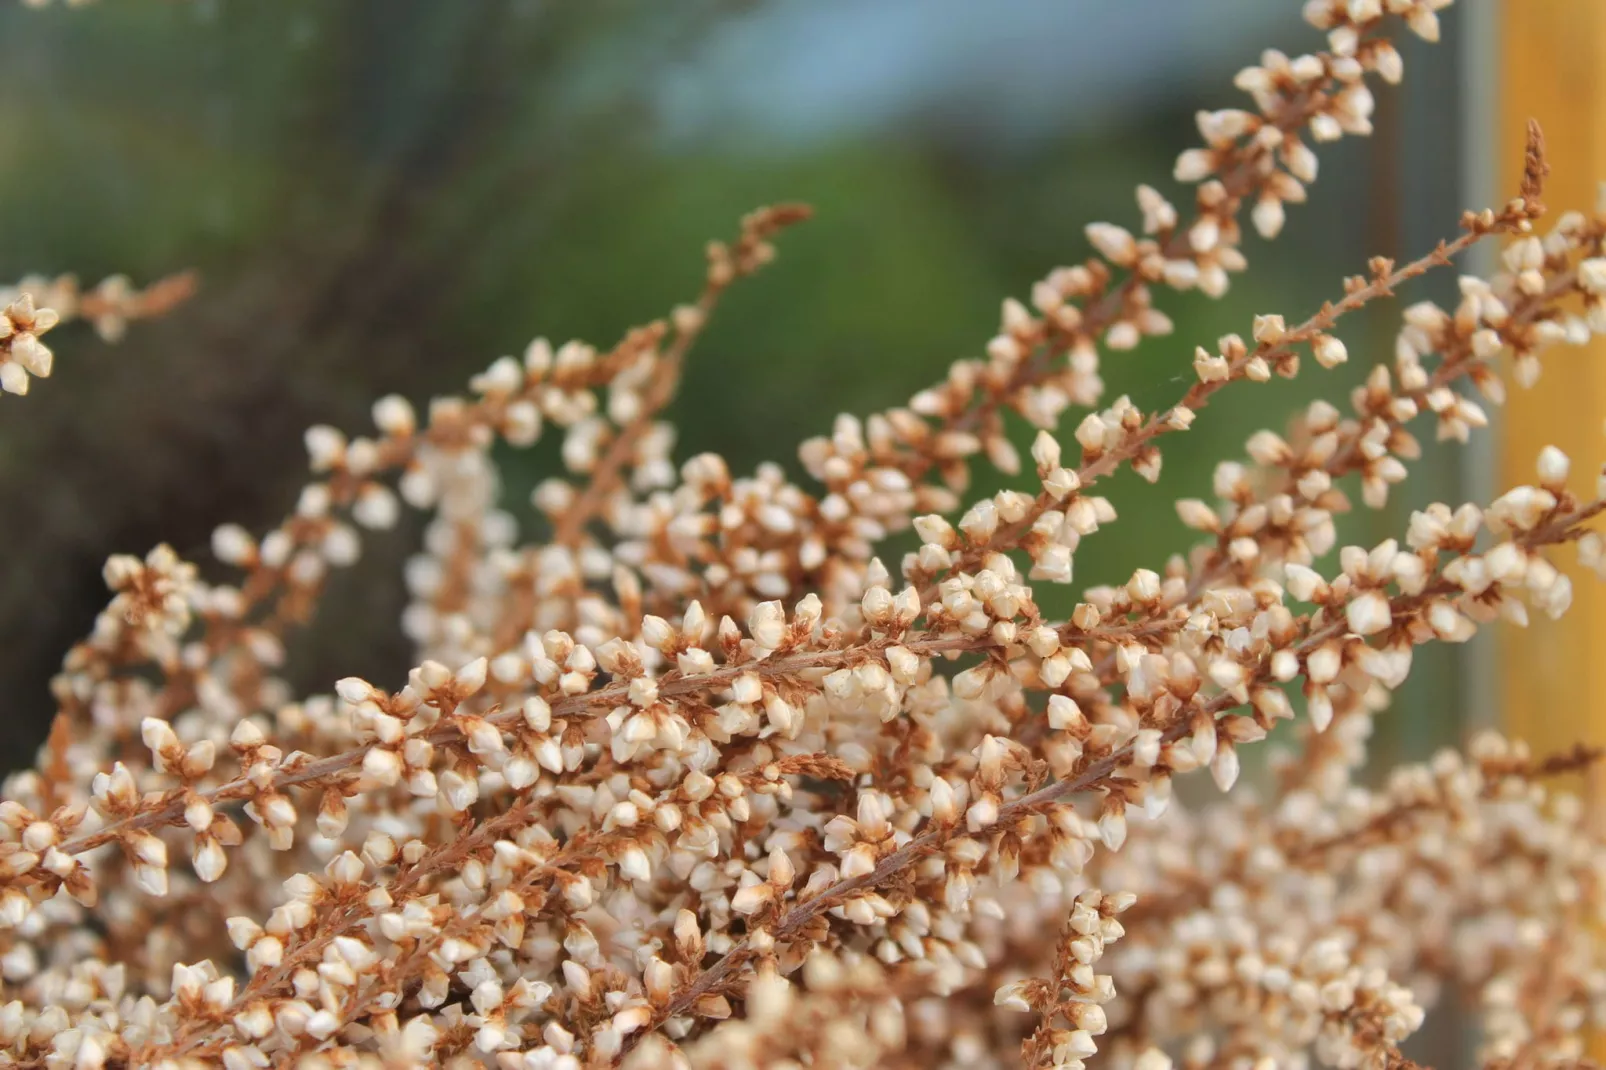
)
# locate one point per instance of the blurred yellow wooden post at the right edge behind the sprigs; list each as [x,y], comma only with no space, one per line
[1552,67]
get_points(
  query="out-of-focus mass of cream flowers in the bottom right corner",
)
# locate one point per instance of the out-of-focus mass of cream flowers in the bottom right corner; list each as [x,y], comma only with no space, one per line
[1327,918]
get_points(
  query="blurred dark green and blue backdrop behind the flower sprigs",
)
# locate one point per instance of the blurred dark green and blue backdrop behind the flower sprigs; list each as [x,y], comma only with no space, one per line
[386,195]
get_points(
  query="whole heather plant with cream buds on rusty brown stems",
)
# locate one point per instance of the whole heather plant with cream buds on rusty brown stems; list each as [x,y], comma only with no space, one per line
[704,780]
